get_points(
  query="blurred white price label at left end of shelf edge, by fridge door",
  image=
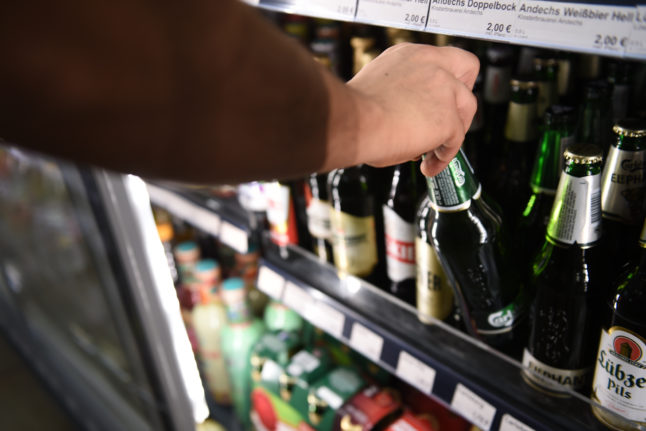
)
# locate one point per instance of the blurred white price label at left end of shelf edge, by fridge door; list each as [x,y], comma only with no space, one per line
[204,219]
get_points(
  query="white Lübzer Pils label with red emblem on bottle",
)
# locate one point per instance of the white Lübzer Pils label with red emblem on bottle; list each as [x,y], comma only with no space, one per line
[620,375]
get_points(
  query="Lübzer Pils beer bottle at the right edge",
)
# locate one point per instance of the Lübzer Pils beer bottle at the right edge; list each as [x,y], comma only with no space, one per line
[619,382]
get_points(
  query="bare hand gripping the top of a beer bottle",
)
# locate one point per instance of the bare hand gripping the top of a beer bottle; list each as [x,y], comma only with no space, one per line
[413,100]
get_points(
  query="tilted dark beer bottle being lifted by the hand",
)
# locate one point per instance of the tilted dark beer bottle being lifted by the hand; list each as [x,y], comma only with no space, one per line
[474,250]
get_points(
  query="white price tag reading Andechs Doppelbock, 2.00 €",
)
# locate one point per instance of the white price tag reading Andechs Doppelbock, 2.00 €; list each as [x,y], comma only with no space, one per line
[493,19]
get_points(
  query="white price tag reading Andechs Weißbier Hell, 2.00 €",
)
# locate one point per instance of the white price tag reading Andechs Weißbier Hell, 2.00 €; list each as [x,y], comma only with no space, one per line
[602,28]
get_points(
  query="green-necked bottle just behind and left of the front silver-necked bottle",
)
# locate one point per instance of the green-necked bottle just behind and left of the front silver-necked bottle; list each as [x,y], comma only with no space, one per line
[557,136]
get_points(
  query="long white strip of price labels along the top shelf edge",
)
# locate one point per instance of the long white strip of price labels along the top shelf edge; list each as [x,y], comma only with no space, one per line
[615,28]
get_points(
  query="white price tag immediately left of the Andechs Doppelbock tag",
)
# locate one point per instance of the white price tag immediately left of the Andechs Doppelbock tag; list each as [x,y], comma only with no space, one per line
[402,13]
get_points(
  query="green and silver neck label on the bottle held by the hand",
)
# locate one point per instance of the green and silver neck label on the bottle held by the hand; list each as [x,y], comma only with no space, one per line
[454,187]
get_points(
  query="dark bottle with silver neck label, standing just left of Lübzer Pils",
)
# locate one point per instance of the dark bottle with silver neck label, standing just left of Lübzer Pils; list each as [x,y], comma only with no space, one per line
[568,280]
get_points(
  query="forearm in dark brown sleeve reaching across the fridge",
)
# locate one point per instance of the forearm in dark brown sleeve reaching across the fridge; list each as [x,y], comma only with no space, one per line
[199,91]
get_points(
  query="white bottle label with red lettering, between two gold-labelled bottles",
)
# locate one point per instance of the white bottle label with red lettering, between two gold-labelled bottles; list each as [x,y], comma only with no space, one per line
[400,246]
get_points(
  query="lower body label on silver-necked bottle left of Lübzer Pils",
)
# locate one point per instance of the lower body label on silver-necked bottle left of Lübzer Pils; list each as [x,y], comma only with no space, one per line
[539,373]
